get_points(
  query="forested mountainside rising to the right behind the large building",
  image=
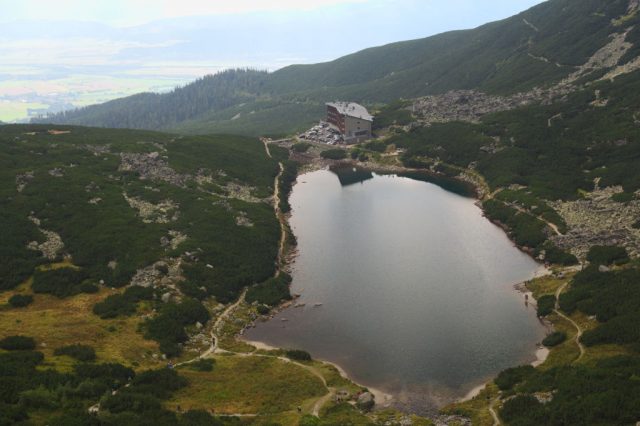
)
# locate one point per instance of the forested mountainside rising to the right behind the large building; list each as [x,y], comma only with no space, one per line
[536,48]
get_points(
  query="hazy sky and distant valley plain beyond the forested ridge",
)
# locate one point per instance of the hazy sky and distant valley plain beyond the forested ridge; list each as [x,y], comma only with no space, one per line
[68,54]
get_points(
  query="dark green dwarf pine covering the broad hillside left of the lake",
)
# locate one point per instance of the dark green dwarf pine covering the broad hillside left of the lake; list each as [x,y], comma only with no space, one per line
[239,255]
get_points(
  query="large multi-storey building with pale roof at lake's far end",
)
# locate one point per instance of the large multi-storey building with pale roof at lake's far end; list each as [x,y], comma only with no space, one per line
[352,120]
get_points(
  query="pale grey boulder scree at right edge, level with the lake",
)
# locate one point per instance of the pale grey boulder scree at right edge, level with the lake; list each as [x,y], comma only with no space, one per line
[599,220]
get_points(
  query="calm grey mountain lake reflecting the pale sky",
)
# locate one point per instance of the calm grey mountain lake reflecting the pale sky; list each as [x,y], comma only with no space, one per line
[416,288]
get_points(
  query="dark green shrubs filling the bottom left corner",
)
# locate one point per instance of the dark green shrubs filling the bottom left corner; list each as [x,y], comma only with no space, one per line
[28,386]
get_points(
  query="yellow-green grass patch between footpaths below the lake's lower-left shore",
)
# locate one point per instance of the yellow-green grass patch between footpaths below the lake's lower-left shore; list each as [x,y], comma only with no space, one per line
[249,385]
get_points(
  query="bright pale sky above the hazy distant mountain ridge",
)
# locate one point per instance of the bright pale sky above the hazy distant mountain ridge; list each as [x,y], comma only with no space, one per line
[442,14]
